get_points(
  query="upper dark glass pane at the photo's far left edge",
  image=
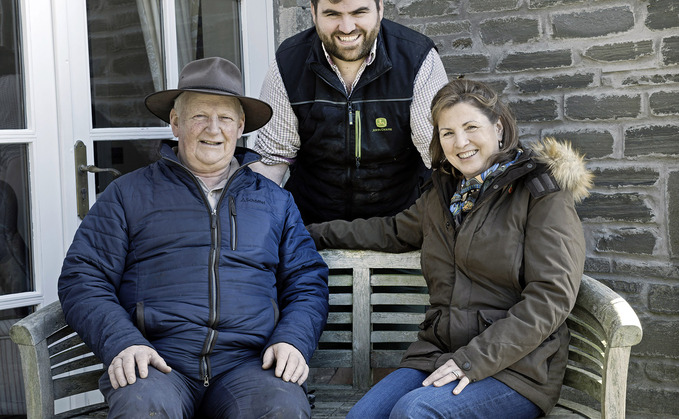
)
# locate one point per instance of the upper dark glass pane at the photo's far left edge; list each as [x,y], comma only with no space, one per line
[12,115]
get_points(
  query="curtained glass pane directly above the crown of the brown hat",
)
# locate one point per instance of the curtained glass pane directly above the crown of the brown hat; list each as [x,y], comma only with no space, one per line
[208,28]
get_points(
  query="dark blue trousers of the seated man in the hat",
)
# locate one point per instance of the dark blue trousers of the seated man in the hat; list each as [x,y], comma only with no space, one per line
[247,391]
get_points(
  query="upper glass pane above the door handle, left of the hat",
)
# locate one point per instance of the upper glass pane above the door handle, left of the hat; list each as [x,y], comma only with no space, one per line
[126,61]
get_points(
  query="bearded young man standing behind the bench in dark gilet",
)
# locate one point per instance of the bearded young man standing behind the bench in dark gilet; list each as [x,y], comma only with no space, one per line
[351,101]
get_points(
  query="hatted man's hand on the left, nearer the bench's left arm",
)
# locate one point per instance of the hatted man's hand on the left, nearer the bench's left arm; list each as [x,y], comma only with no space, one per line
[122,372]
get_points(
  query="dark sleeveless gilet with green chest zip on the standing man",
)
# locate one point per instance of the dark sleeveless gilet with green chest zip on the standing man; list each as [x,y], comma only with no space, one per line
[357,158]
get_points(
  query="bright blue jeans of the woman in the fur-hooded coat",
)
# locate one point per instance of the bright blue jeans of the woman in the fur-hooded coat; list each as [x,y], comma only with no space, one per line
[401,395]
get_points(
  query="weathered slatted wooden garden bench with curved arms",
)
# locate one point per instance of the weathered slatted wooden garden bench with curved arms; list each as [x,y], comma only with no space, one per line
[377,301]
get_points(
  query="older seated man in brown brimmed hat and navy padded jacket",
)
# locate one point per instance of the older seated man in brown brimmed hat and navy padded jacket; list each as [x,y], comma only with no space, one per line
[194,279]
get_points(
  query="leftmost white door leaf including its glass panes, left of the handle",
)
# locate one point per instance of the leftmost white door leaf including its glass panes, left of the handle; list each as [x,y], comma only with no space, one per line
[31,236]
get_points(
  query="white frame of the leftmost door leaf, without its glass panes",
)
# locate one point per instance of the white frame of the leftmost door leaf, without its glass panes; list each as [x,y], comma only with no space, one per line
[42,139]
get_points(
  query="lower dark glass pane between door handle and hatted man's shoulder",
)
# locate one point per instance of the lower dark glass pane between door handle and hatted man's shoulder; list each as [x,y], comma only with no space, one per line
[124,156]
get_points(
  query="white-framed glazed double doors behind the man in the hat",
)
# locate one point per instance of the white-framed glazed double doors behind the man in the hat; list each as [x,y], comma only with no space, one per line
[73,76]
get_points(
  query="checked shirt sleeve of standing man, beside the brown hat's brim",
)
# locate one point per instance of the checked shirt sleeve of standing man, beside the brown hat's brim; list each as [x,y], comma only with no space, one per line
[278,141]
